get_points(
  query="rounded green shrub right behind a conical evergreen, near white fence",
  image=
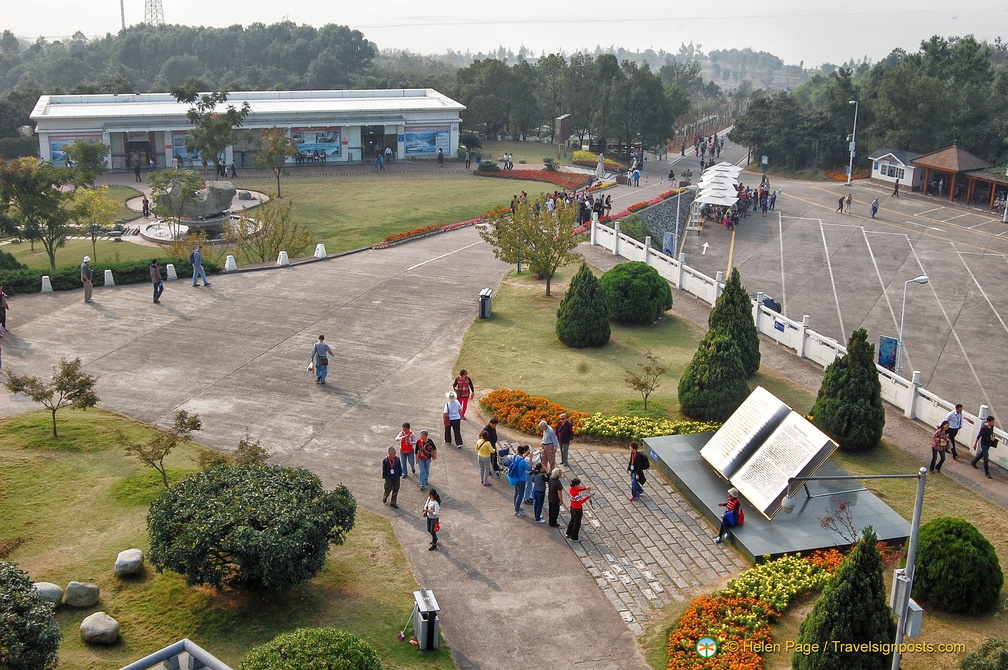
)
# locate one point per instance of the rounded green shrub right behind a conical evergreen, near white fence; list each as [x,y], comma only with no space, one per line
[636,294]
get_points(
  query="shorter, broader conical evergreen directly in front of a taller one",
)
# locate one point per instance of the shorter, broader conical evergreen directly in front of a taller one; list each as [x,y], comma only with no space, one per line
[714,384]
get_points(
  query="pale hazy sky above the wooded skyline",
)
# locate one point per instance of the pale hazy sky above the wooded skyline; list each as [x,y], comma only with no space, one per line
[811,31]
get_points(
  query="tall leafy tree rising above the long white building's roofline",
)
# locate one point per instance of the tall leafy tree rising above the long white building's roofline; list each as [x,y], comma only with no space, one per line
[213,131]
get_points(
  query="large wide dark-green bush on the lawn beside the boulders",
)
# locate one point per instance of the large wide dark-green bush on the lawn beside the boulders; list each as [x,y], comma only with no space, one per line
[255,527]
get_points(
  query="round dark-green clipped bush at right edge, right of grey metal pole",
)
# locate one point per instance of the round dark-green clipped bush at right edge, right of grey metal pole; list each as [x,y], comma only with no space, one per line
[957,568]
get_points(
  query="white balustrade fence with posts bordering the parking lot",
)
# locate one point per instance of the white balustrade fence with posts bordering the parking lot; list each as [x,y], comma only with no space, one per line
[910,396]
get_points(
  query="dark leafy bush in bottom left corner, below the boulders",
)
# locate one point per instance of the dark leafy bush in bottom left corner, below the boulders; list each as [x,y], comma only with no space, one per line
[30,634]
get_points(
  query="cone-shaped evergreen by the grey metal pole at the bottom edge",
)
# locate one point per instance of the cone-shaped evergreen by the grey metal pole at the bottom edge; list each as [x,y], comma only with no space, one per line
[852,610]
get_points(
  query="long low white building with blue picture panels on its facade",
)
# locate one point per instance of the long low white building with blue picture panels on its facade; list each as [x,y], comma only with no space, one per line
[328,126]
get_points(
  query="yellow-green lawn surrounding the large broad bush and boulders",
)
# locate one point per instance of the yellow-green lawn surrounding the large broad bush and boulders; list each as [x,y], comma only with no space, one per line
[69,506]
